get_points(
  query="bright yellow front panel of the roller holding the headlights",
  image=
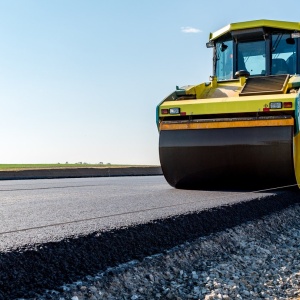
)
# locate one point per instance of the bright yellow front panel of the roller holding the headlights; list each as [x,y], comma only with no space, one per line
[228,104]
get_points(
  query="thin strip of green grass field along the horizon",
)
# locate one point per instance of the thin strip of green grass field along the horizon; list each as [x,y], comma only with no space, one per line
[5,167]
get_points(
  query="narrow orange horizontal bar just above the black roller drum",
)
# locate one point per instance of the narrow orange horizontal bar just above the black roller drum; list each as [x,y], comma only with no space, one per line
[227,124]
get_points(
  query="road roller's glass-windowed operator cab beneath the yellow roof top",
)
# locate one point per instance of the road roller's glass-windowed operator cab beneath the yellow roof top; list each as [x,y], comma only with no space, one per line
[260,51]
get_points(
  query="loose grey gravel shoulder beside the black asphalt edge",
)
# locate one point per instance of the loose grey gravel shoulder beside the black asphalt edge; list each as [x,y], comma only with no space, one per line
[256,260]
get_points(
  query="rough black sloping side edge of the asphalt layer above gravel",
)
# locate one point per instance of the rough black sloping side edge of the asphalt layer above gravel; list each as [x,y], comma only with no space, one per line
[26,271]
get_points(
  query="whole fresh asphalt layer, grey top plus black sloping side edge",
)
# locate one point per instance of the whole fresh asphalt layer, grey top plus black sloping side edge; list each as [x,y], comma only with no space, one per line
[54,231]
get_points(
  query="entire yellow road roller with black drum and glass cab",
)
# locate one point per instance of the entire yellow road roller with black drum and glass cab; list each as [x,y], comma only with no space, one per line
[240,129]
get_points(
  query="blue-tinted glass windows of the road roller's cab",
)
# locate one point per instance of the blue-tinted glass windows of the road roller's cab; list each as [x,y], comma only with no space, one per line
[254,57]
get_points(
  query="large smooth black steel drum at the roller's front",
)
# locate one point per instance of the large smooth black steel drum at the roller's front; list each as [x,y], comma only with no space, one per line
[237,157]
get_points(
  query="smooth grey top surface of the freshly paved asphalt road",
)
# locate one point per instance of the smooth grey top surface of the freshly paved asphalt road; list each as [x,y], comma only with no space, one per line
[38,211]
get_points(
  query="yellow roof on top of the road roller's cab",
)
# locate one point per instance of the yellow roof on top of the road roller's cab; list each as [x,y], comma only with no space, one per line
[292,26]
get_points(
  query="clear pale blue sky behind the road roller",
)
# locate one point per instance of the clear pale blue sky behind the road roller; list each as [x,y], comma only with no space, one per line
[80,80]
